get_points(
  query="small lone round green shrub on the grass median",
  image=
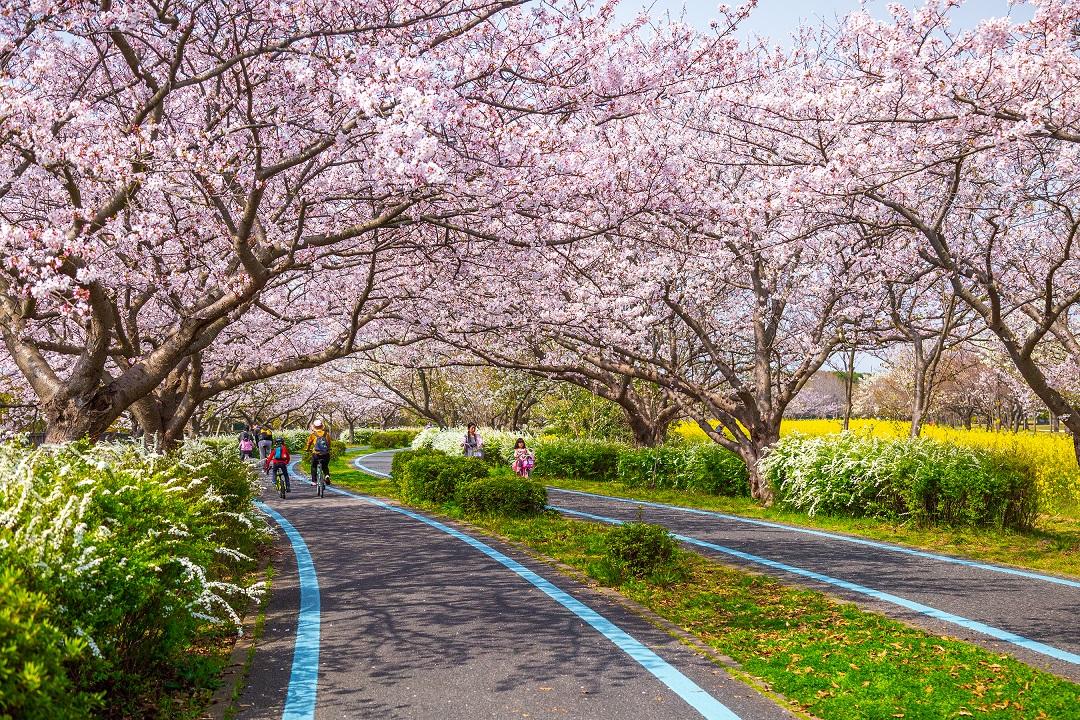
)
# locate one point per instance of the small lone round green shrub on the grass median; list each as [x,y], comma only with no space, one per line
[641,551]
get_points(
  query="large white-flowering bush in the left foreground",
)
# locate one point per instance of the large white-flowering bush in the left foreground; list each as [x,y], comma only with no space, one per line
[126,559]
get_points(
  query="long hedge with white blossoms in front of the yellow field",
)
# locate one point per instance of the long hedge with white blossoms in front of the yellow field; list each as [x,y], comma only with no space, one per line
[927,481]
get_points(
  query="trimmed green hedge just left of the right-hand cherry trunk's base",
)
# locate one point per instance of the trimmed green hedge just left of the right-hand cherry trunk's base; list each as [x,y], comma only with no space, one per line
[703,468]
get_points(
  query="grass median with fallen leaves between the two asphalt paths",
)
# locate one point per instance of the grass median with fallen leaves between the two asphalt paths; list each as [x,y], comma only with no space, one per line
[827,658]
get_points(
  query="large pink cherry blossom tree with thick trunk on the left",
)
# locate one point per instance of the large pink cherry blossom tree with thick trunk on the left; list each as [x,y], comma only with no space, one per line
[167,169]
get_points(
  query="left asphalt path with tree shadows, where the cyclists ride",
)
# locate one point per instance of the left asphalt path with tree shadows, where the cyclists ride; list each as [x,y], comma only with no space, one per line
[416,623]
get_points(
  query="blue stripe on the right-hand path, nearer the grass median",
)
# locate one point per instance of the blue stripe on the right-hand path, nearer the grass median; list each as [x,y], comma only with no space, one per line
[862,590]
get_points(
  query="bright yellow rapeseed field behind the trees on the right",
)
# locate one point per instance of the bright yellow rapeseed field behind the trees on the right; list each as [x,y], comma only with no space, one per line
[1049,454]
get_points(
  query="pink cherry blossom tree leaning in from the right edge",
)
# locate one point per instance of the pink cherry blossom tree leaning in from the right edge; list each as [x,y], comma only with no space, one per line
[968,142]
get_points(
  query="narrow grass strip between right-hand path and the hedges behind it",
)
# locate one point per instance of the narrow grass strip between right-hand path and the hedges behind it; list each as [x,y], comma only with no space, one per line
[1052,547]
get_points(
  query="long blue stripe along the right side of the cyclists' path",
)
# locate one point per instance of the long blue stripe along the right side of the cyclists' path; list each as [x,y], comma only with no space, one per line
[684,687]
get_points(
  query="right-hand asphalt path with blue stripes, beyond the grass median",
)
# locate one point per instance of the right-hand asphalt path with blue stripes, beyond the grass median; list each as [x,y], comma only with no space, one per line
[1033,617]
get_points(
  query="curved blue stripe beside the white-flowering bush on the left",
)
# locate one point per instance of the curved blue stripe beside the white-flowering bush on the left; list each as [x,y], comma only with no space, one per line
[304,680]
